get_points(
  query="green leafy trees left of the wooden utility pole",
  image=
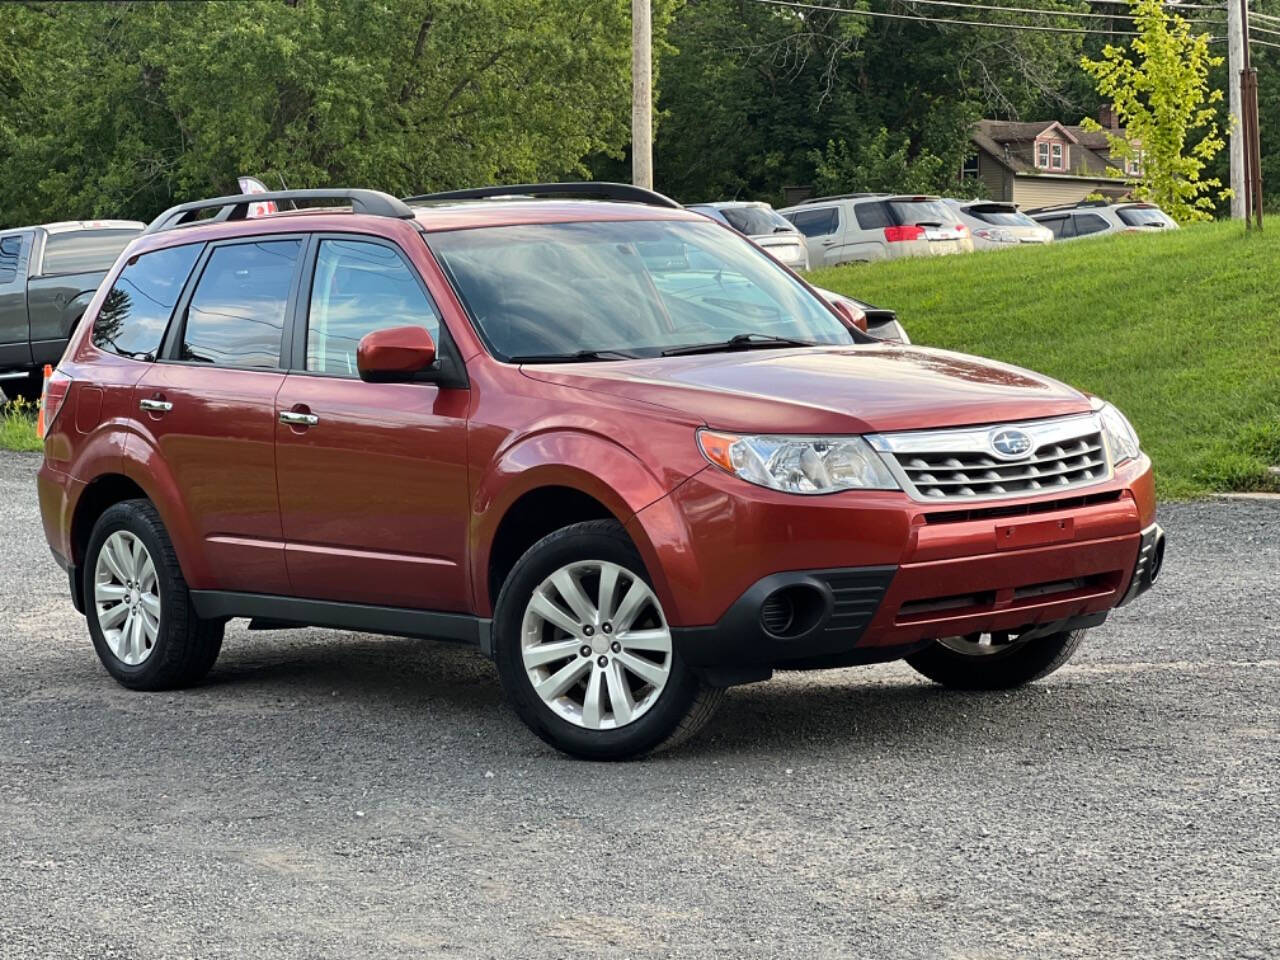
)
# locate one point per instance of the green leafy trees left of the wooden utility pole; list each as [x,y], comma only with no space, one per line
[120,109]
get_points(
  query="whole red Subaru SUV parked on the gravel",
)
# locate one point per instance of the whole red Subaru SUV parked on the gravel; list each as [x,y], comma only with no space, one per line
[611,444]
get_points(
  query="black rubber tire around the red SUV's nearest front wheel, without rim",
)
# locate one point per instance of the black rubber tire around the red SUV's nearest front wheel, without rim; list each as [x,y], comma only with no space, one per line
[683,707]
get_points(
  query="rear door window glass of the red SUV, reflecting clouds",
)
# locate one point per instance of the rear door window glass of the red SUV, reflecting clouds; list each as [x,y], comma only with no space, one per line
[236,317]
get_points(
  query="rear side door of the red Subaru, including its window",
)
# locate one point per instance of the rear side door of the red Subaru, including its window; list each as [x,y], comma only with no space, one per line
[208,406]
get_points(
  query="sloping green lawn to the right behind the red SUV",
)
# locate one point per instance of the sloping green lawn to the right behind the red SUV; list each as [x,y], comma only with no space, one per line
[1181,331]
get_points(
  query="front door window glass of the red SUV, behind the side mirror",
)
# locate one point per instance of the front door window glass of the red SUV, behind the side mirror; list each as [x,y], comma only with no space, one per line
[360,287]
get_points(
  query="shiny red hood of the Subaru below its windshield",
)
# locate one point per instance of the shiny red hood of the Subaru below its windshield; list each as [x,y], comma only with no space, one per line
[863,388]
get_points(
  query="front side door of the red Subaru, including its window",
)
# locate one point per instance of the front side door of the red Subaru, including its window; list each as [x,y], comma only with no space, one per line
[373,478]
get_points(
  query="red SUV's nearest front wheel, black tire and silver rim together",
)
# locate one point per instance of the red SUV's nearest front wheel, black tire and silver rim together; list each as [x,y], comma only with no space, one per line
[586,653]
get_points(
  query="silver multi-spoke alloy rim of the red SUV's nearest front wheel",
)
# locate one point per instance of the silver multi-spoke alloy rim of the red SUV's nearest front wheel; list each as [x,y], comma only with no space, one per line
[596,644]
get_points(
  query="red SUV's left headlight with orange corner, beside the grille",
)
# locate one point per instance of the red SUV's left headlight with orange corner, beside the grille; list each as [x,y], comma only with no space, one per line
[810,465]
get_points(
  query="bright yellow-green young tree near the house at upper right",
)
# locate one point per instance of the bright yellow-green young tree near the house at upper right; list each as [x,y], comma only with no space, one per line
[1162,95]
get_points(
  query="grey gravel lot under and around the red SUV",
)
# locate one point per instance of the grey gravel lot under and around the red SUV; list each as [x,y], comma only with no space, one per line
[332,796]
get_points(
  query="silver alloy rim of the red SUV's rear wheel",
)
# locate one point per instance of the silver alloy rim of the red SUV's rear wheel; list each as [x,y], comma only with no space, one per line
[127,598]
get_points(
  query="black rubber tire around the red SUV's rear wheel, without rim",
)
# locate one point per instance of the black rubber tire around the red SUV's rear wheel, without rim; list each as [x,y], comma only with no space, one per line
[186,647]
